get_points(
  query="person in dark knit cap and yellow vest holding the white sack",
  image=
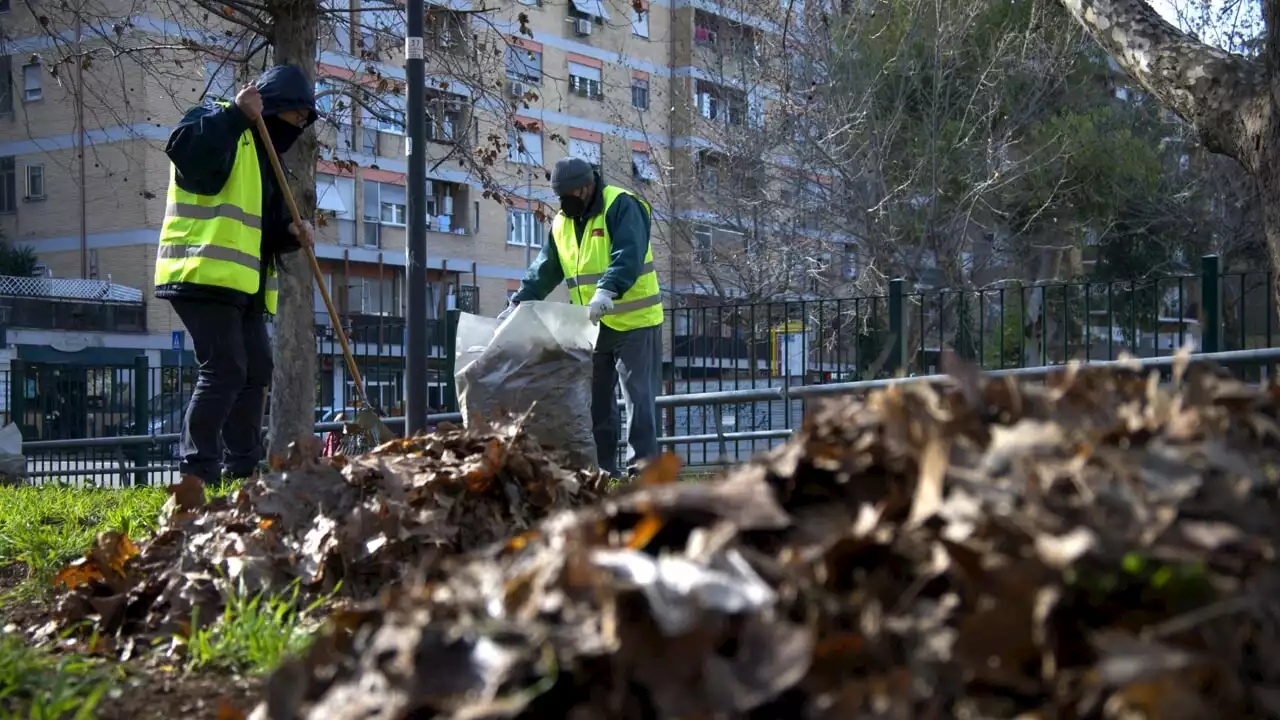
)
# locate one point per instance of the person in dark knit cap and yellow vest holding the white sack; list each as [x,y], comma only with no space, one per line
[600,248]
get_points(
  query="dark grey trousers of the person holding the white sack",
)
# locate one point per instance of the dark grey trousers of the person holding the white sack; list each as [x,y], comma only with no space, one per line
[636,358]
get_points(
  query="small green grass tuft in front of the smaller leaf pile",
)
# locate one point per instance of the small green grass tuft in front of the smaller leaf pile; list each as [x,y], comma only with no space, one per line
[254,634]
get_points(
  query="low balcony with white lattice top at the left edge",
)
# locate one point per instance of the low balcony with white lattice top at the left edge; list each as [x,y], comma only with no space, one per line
[67,304]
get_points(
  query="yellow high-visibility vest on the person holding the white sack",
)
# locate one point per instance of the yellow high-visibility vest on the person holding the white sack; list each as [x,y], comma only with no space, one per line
[584,265]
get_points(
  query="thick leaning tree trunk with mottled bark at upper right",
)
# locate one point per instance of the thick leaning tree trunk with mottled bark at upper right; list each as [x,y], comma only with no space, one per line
[1232,101]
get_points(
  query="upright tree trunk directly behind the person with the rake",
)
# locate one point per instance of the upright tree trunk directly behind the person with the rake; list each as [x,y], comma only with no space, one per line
[294,385]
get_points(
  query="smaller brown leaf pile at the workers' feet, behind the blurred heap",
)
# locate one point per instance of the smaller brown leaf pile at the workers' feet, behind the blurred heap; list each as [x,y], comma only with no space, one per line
[362,522]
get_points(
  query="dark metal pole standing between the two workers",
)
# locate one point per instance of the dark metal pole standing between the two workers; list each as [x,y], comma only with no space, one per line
[417,320]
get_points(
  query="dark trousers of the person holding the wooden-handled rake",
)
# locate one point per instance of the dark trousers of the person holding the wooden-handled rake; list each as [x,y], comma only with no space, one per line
[234,354]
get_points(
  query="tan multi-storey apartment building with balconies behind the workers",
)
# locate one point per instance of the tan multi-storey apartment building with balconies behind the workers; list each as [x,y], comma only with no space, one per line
[651,90]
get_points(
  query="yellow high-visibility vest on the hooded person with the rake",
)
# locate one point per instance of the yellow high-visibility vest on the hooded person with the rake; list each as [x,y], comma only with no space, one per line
[217,240]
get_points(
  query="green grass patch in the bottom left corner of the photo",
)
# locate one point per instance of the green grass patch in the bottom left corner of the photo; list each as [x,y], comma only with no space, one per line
[38,685]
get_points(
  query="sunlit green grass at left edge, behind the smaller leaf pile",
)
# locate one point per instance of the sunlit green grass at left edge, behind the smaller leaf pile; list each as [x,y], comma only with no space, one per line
[47,527]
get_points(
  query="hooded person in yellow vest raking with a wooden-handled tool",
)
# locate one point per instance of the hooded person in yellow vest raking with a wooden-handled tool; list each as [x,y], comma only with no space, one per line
[225,231]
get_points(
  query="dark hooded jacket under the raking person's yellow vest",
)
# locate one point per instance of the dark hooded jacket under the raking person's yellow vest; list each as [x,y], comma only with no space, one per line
[203,152]
